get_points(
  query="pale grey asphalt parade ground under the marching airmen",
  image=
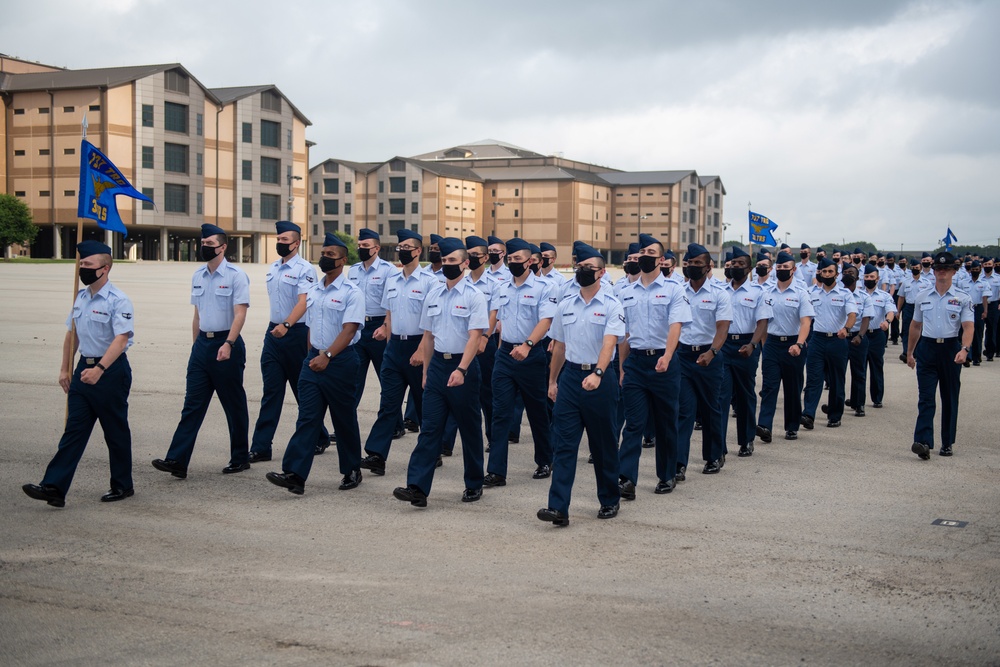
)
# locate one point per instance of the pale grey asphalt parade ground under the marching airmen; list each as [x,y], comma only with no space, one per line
[820,551]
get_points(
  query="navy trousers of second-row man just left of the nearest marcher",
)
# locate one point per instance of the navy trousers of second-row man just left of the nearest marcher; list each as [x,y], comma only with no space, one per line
[527,379]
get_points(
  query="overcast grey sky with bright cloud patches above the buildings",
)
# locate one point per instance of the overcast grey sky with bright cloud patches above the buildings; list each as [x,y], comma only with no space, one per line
[858,119]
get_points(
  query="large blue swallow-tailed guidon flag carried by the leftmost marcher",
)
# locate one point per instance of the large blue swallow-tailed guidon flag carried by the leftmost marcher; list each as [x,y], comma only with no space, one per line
[100,183]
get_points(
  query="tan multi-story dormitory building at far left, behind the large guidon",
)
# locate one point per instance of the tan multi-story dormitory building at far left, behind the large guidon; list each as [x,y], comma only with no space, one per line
[234,157]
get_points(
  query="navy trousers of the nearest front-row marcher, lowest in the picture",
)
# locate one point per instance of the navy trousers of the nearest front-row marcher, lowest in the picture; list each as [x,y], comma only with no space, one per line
[575,410]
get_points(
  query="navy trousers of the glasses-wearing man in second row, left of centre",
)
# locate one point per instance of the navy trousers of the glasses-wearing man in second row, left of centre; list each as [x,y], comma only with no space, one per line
[397,375]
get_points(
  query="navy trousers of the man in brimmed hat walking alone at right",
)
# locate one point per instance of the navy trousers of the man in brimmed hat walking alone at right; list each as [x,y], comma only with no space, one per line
[937,370]
